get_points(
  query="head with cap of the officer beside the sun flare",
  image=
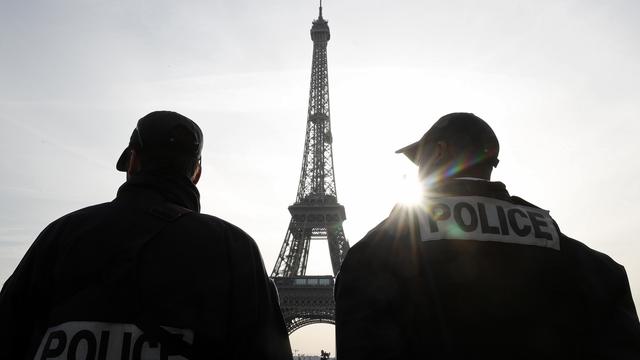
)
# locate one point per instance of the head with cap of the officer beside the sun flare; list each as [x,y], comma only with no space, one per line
[457,145]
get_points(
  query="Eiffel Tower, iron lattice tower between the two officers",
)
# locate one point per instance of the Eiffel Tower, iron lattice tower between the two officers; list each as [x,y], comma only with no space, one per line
[316,213]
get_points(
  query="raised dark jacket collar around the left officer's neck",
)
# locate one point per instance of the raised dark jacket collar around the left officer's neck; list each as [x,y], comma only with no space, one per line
[175,189]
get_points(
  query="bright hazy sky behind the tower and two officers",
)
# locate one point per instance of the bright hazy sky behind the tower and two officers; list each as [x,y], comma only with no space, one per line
[557,80]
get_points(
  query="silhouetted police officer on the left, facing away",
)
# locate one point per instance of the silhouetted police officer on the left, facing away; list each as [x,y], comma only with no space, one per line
[145,276]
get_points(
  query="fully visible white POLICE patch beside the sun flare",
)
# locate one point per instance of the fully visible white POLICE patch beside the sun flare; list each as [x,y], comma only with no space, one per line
[486,219]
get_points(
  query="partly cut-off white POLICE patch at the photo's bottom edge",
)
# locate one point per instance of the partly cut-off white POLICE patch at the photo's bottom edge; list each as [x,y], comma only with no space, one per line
[104,341]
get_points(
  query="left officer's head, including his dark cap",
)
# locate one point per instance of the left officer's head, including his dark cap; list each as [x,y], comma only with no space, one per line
[163,143]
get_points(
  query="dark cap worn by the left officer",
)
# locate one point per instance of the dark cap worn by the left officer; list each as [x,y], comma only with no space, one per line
[165,133]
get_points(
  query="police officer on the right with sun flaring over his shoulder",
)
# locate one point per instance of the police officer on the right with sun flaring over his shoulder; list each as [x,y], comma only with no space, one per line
[475,273]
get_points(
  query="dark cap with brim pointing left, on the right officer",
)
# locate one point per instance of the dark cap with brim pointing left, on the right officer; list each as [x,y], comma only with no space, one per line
[463,129]
